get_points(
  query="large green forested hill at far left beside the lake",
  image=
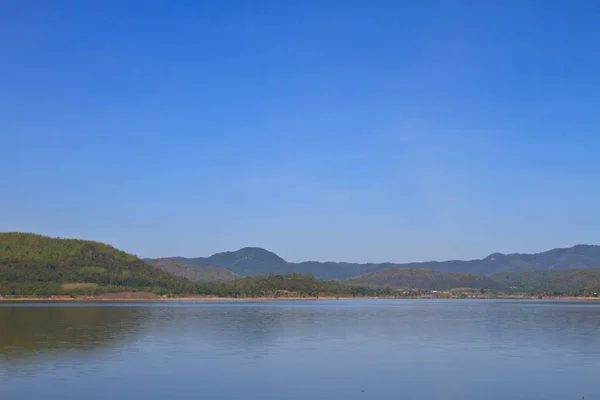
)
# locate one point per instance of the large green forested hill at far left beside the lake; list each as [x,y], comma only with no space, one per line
[39,265]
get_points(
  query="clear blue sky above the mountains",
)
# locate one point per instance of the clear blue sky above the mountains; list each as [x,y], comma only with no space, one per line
[323,130]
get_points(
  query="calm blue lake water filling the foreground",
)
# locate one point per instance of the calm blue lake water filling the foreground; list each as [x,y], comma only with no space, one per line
[363,349]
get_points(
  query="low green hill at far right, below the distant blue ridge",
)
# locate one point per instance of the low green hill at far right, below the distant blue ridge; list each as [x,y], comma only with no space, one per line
[553,281]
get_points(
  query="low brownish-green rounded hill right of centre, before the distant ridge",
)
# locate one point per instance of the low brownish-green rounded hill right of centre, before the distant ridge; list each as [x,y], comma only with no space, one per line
[420,278]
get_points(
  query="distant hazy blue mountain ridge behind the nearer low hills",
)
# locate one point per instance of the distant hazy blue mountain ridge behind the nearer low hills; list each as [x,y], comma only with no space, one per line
[252,261]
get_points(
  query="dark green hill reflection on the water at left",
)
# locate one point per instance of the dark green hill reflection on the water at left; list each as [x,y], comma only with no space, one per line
[31,336]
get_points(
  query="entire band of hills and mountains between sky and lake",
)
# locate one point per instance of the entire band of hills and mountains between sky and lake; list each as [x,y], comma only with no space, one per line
[38,265]
